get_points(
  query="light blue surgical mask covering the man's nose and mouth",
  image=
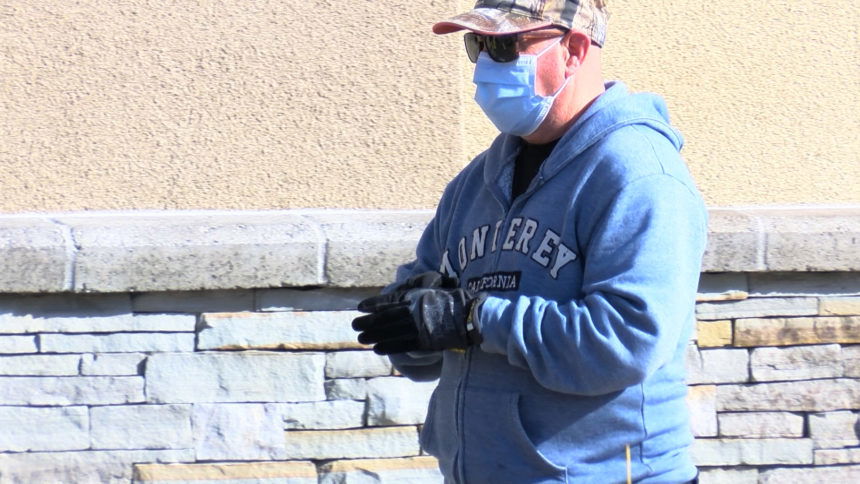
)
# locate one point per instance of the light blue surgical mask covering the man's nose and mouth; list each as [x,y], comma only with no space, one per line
[506,92]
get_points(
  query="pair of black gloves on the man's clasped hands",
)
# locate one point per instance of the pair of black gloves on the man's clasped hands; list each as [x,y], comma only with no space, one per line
[422,319]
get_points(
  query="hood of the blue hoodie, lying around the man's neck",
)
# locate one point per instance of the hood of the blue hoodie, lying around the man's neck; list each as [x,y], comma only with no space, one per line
[616,108]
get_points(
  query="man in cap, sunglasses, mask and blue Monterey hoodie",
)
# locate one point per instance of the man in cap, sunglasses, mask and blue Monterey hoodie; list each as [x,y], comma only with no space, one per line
[553,293]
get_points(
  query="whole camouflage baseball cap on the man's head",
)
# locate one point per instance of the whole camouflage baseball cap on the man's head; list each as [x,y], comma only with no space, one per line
[500,17]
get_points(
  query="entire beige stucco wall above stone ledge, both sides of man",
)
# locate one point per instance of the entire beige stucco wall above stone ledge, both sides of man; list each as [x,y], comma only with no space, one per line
[286,103]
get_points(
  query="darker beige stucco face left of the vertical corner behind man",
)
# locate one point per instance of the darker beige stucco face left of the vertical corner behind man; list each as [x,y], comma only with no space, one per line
[223,104]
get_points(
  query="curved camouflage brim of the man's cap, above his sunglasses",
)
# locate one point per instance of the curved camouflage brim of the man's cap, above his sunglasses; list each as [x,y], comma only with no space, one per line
[489,21]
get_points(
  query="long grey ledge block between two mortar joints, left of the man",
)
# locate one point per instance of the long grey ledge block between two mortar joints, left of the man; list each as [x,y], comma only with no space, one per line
[141,252]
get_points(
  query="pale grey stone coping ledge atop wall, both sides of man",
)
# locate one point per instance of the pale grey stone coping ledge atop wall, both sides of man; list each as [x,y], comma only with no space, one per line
[140,251]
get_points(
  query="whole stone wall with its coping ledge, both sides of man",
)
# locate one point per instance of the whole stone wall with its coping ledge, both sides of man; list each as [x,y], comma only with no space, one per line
[212,347]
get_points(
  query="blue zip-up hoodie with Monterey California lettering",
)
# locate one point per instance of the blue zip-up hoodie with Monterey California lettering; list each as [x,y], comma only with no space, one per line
[591,276]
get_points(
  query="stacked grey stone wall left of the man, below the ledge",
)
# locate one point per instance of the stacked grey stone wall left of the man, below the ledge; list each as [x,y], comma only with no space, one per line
[259,386]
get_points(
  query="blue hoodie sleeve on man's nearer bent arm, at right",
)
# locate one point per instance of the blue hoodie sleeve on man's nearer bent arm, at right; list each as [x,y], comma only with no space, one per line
[642,261]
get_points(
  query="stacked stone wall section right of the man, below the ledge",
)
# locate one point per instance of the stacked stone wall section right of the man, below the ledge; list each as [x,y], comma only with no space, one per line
[774,375]
